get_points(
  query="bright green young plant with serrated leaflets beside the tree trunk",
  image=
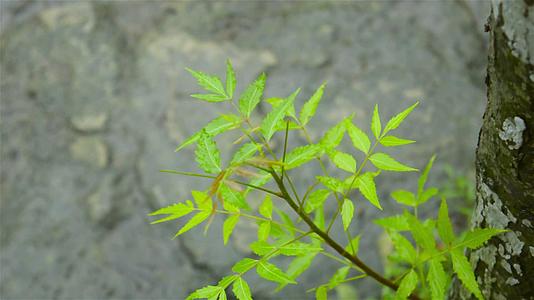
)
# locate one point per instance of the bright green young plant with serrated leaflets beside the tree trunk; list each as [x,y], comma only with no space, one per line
[420,265]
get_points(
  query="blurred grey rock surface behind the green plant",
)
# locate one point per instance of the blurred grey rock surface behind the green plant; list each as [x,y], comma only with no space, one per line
[94,99]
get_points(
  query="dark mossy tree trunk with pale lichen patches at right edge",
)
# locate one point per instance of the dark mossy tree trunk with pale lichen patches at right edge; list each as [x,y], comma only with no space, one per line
[504,267]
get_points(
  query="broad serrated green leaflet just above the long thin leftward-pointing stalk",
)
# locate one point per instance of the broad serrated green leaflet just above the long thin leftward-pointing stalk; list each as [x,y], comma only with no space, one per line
[207,154]
